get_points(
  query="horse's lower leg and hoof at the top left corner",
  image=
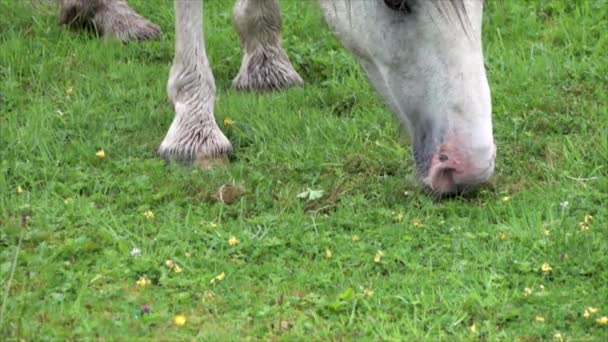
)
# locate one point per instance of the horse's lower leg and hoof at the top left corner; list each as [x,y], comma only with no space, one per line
[109,17]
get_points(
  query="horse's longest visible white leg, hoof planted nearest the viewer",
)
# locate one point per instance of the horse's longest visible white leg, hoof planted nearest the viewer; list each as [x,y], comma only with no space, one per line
[194,134]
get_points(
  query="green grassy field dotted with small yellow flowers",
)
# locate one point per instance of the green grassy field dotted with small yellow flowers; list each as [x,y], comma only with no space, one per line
[86,243]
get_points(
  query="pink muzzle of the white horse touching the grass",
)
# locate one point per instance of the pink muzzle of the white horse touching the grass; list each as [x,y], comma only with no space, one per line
[454,171]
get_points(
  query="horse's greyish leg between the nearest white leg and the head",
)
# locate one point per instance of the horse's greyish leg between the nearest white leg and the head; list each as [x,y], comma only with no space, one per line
[265,64]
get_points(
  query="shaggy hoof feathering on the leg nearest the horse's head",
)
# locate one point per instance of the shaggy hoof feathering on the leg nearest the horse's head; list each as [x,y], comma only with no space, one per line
[266,68]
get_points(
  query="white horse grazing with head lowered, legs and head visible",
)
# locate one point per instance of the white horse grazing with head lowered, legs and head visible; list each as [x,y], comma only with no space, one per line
[423,56]
